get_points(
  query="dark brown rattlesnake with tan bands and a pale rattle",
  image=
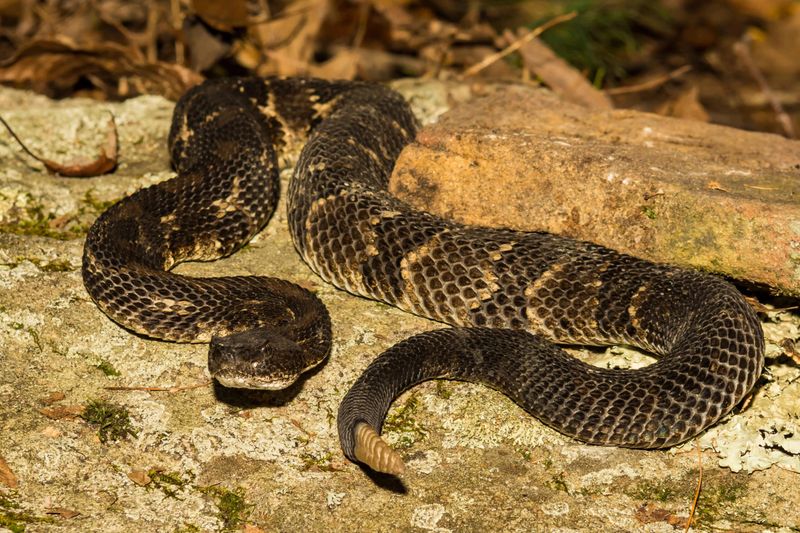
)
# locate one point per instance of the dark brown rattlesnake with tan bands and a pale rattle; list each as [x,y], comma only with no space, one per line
[510,297]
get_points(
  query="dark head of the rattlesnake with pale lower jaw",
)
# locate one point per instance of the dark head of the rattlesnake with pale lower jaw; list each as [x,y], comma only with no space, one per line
[258,358]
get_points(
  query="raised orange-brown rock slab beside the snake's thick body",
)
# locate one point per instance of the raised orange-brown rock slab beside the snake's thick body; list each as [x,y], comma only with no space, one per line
[679,191]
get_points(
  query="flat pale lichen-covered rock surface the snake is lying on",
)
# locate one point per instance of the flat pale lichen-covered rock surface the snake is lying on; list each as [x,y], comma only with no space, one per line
[201,458]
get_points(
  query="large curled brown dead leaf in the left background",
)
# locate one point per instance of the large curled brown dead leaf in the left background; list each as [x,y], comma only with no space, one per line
[56,66]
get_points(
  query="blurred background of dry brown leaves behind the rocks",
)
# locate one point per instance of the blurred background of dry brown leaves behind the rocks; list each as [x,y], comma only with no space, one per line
[732,62]
